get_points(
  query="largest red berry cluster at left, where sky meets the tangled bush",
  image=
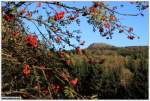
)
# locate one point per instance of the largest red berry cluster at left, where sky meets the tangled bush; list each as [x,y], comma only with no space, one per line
[31,41]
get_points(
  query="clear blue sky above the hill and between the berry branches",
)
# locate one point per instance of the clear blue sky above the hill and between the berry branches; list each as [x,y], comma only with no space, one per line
[139,23]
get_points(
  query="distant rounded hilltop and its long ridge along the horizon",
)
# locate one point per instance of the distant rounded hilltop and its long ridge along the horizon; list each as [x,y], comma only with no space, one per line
[102,48]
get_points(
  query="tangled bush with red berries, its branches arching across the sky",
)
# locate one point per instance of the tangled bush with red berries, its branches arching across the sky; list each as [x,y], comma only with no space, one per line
[38,65]
